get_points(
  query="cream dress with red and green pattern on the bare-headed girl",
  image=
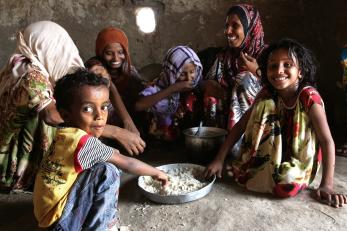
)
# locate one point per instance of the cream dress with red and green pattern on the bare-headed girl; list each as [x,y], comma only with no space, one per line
[280,152]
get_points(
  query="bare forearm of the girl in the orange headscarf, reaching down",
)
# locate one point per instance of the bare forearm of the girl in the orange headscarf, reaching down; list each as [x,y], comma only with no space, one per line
[121,110]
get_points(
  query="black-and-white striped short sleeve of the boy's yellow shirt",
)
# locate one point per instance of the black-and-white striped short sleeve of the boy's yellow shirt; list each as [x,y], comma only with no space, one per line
[93,152]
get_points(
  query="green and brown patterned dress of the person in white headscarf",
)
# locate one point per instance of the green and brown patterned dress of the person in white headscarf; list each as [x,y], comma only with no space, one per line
[24,138]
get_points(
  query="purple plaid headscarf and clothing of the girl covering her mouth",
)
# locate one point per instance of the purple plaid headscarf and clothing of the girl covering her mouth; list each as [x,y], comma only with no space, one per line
[165,110]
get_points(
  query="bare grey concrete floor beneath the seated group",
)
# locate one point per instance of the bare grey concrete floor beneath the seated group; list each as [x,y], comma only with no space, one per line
[227,207]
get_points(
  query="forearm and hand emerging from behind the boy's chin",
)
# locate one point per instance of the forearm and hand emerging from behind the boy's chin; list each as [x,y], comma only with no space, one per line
[130,141]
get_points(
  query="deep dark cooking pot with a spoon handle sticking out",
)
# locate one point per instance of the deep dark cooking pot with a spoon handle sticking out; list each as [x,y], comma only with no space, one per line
[203,145]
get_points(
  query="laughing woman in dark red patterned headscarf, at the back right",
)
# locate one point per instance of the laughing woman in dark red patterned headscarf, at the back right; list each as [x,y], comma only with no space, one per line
[232,81]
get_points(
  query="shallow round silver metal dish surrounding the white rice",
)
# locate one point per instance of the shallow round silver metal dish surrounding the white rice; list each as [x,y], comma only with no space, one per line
[177,199]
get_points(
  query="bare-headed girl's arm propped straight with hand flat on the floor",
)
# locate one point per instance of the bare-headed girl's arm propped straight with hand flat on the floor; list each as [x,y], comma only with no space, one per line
[325,191]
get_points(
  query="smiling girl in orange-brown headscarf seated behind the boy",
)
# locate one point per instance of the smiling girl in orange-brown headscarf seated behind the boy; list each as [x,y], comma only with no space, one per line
[112,51]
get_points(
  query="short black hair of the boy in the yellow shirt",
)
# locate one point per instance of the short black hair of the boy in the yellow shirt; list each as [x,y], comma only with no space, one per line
[66,87]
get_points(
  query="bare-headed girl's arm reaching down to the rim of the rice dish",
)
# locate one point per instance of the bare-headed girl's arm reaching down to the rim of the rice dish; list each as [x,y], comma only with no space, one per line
[216,166]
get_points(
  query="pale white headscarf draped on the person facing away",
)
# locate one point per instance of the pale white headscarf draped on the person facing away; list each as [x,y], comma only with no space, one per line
[46,45]
